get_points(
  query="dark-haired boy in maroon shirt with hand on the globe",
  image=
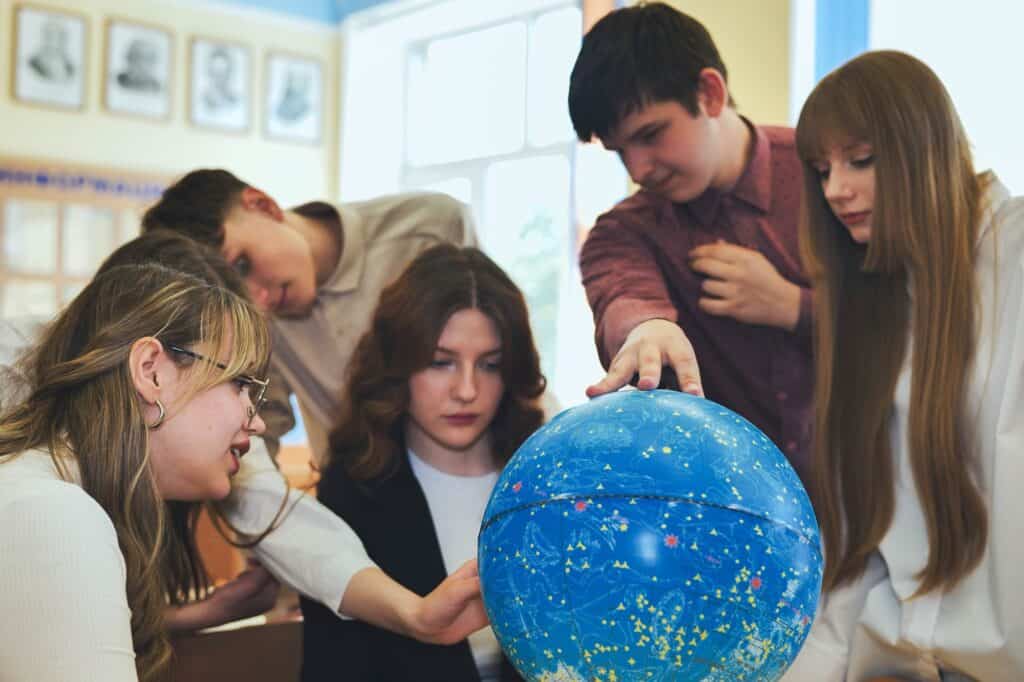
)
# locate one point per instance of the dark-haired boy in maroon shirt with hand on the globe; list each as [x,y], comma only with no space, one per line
[702,265]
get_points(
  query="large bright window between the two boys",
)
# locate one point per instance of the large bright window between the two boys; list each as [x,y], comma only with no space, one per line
[479,111]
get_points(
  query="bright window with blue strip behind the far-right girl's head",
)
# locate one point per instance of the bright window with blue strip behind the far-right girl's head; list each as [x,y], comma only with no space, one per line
[830,32]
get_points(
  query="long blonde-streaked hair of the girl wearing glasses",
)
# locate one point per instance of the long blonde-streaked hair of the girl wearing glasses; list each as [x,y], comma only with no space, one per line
[83,409]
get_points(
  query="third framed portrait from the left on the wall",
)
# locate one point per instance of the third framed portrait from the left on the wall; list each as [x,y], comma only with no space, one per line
[220,83]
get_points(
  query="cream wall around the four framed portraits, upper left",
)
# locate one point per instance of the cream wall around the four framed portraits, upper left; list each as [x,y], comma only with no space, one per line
[292,172]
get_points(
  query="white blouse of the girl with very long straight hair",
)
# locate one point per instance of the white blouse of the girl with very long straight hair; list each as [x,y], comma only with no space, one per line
[873,627]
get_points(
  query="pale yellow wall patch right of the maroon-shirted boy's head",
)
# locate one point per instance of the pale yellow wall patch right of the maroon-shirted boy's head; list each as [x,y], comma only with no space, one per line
[754,39]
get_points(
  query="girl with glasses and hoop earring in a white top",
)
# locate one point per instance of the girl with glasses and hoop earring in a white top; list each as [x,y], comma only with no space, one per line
[143,397]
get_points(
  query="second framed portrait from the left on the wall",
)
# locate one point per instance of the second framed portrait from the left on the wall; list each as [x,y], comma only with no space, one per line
[138,69]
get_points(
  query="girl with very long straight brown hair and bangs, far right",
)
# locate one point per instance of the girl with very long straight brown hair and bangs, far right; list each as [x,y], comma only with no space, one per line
[919,269]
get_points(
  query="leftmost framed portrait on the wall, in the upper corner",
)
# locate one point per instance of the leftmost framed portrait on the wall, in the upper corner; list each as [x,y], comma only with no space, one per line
[50,57]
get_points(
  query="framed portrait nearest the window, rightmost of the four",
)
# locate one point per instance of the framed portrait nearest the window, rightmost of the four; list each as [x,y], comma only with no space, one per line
[294,98]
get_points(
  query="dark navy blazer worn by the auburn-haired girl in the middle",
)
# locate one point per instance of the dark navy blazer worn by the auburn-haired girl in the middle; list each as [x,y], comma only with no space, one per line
[393,519]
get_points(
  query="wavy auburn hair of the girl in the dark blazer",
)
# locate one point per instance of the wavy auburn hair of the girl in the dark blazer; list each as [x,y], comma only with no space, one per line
[409,320]
